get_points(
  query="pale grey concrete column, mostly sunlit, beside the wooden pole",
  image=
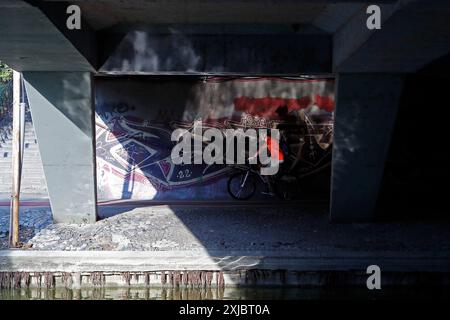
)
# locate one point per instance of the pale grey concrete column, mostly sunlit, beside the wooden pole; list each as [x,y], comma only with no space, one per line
[62,107]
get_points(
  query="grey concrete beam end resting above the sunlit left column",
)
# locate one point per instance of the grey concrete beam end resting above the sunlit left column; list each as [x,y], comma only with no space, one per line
[30,41]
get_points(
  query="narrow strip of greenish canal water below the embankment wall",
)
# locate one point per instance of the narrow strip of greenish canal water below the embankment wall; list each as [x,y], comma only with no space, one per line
[228,293]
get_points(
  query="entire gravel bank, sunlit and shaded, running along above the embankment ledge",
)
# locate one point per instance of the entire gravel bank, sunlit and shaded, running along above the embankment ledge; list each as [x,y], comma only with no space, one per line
[162,228]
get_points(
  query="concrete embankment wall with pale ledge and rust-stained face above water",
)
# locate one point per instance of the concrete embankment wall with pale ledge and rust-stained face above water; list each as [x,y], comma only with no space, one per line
[202,269]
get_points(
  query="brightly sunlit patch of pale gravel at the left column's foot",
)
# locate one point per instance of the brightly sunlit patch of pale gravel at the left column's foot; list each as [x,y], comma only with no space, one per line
[138,229]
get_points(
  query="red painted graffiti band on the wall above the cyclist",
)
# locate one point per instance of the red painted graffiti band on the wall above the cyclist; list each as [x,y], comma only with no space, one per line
[267,106]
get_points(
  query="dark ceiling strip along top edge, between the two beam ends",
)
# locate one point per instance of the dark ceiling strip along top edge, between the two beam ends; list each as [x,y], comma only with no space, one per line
[106,14]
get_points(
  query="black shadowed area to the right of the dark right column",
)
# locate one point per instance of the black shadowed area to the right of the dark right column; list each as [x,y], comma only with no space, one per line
[417,172]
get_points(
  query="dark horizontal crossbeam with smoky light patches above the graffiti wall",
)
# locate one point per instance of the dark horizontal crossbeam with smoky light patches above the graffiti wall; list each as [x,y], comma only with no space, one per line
[217,50]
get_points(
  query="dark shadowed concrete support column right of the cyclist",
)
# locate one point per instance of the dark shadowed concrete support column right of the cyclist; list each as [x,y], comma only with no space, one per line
[365,114]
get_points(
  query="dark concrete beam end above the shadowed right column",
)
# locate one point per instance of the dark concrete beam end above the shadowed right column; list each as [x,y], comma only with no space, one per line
[413,33]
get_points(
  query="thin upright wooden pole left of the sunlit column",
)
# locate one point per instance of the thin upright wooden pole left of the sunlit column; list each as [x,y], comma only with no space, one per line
[16,165]
